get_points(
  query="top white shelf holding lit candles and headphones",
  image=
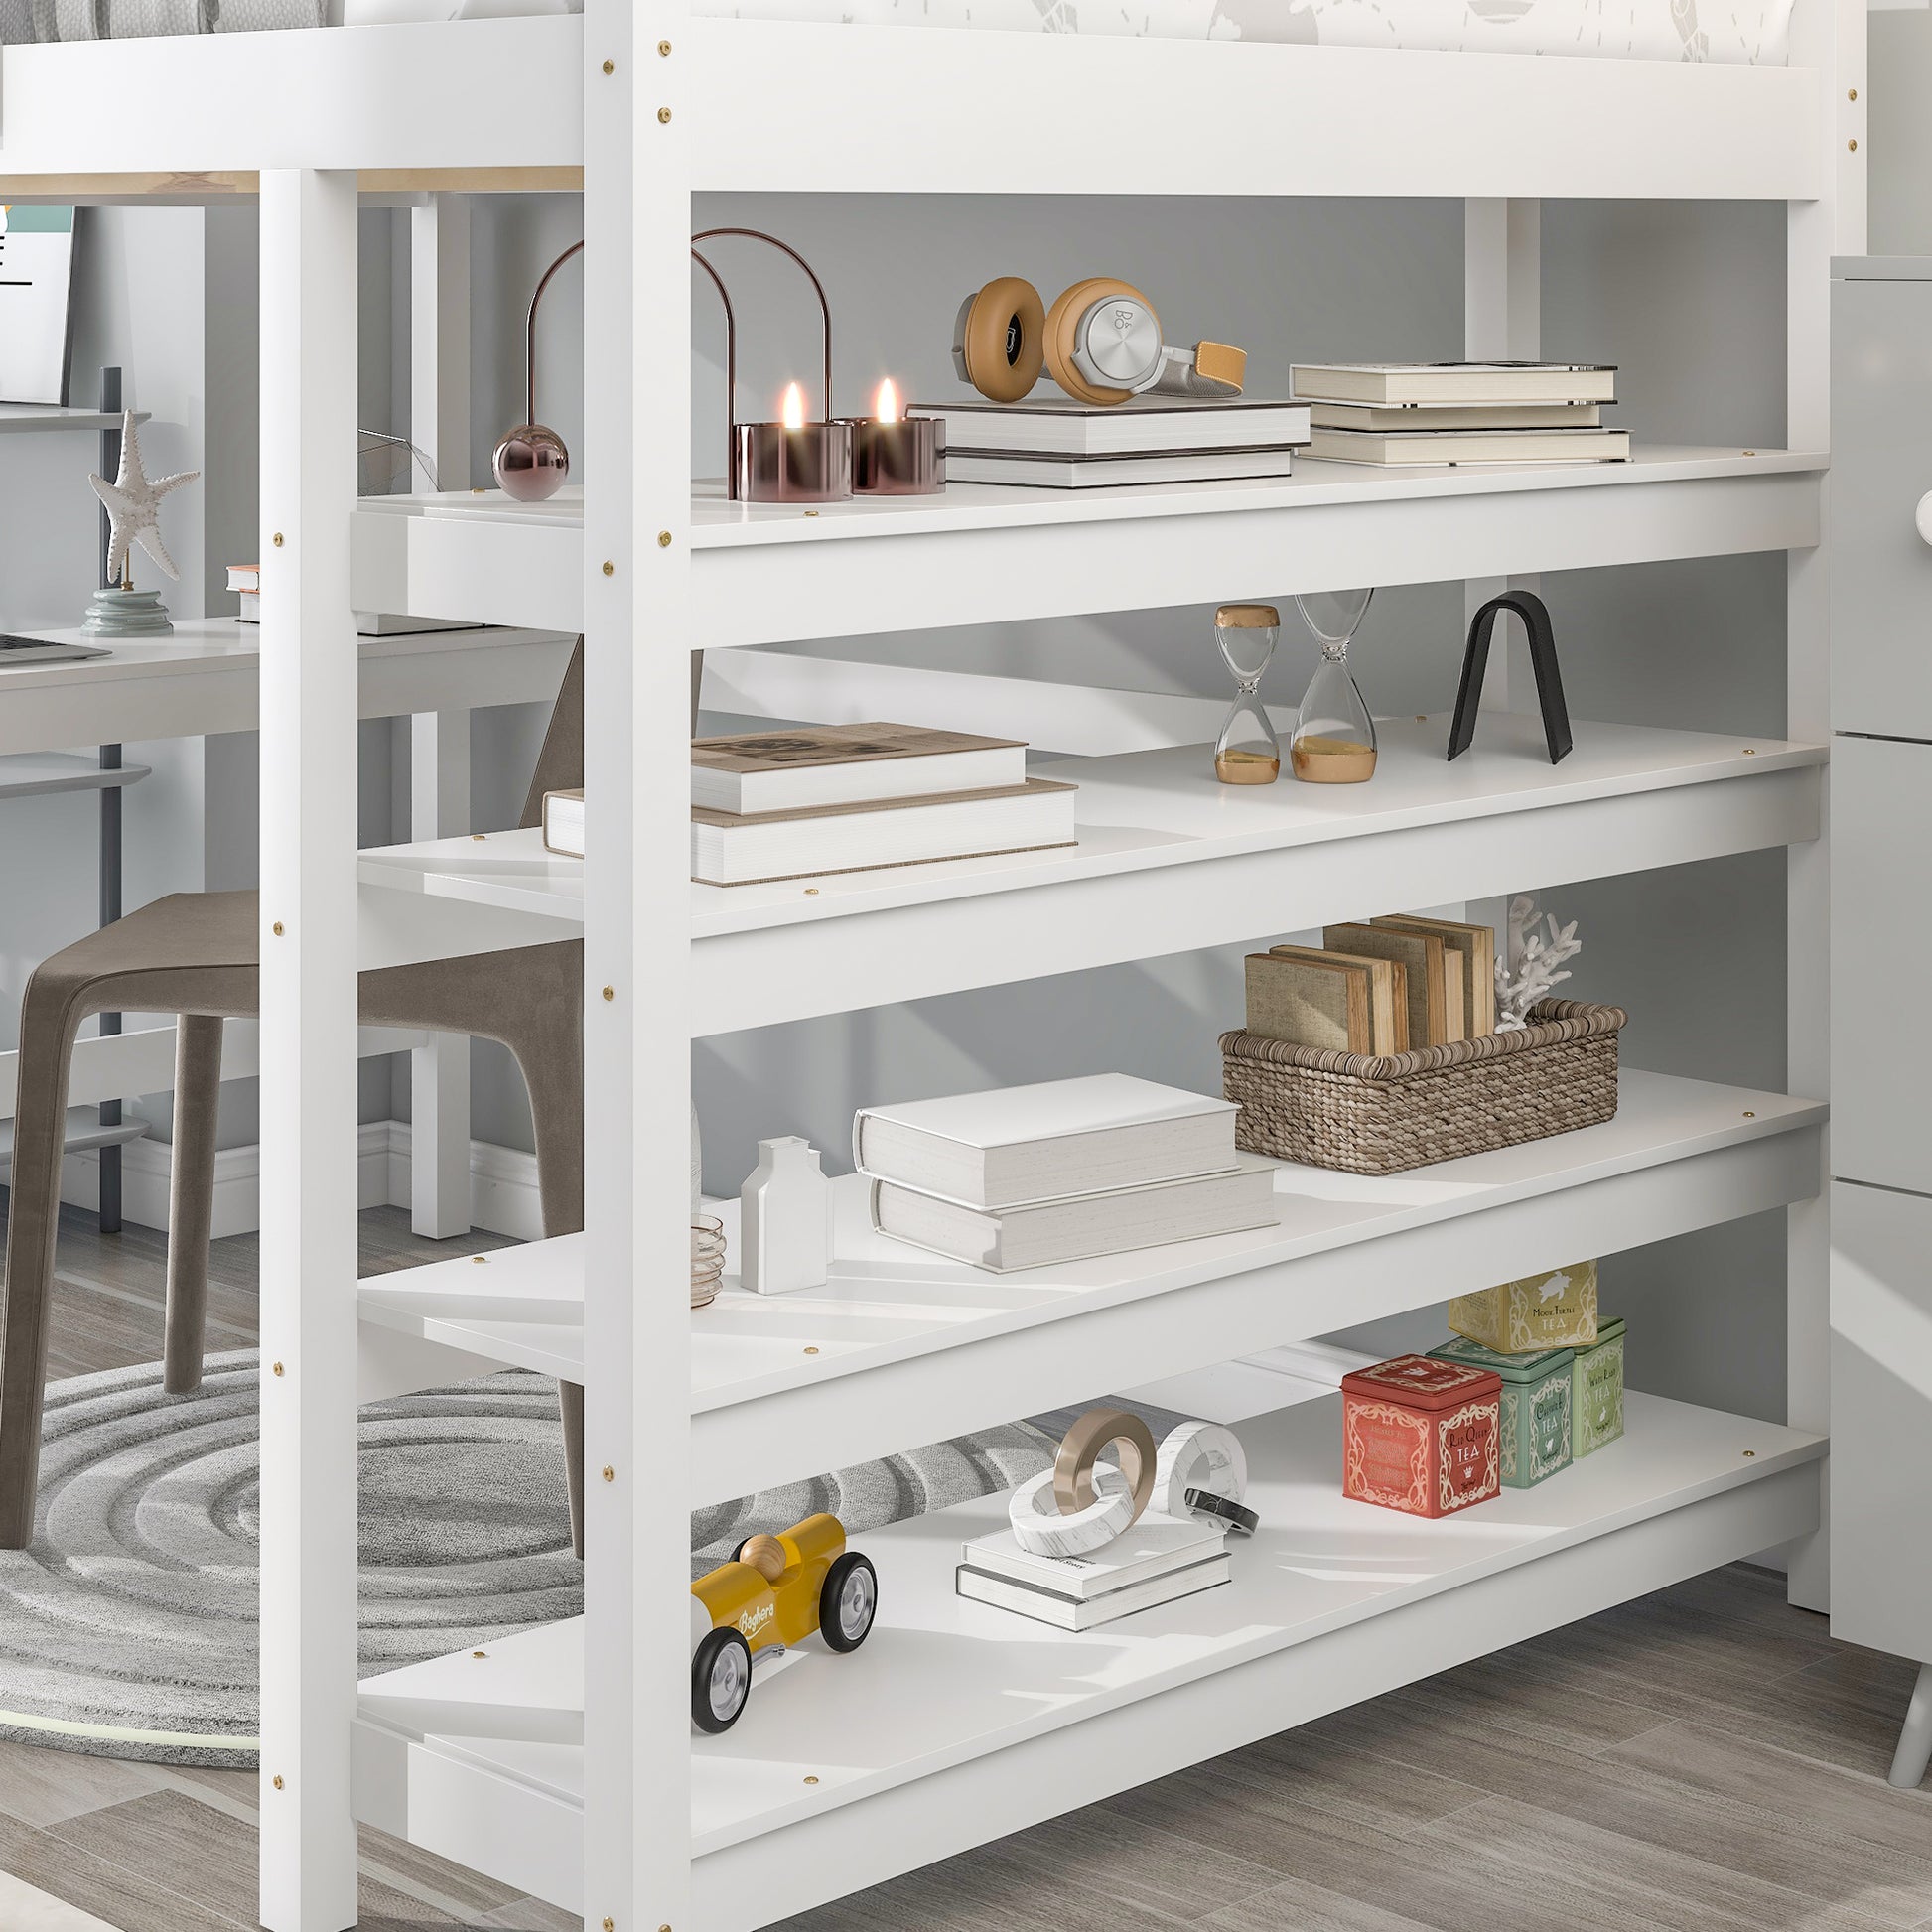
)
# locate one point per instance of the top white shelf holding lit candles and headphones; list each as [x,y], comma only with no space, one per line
[770,575]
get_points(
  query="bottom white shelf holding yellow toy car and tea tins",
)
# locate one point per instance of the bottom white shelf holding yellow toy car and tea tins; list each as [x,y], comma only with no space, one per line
[959,1722]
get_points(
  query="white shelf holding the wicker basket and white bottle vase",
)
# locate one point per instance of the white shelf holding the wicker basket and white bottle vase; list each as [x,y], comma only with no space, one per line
[911,1348]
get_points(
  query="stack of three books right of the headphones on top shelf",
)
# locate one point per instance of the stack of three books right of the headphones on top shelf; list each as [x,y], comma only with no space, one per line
[1462,412]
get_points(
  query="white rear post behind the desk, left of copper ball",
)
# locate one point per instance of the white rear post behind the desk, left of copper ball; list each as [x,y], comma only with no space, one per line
[440,741]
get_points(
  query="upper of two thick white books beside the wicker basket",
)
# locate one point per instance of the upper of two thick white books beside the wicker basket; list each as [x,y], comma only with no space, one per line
[1008,1147]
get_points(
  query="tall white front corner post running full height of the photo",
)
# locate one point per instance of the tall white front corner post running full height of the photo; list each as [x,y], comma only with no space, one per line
[640,623]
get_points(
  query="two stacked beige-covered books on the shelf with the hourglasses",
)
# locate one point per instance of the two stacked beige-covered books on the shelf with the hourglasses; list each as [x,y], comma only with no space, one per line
[797,805]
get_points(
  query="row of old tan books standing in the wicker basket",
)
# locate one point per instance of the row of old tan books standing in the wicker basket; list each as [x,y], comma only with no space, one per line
[1388,986]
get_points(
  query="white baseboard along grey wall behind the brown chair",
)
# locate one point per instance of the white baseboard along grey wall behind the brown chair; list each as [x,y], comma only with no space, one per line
[503,1183]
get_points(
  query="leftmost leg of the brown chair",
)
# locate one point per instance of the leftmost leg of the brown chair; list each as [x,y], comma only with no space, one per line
[47,1031]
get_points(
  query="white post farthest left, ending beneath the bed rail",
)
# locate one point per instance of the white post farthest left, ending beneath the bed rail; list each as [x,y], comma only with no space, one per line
[308,1050]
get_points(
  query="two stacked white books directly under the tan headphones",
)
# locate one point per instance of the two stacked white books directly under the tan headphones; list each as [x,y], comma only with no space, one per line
[1060,443]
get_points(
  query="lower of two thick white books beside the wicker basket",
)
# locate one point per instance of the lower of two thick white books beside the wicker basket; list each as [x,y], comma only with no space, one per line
[1048,1234]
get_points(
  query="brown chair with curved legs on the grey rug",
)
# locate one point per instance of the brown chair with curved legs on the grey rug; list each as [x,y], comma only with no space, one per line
[198,955]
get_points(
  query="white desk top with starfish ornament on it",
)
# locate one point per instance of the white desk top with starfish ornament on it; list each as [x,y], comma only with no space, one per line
[206,677]
